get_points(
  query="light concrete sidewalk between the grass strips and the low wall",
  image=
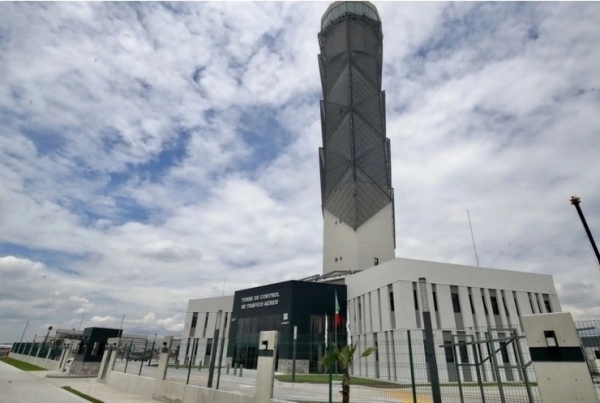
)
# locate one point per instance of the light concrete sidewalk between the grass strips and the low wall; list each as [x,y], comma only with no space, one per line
[93,388]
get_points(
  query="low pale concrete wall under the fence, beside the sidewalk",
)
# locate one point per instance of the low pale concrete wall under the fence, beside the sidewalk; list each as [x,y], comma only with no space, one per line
[174,392]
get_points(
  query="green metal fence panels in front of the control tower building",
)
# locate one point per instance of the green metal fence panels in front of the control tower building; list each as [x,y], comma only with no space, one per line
[474,365]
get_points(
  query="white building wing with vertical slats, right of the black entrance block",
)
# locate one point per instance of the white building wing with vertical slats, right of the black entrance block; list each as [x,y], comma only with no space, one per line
[465,303]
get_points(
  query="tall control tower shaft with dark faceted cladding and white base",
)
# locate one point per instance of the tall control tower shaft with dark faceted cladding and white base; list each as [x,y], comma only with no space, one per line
[356,184]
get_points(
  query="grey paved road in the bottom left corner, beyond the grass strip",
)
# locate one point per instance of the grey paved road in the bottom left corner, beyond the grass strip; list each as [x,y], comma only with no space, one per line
[17,386]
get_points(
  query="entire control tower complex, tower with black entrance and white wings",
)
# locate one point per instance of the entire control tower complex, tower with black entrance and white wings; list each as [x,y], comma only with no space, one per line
[384,301]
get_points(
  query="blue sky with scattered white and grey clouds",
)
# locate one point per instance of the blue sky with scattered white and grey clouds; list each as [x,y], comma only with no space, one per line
[151,153]
